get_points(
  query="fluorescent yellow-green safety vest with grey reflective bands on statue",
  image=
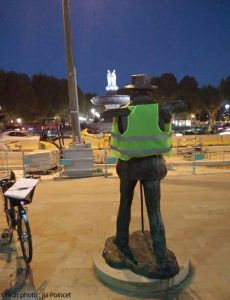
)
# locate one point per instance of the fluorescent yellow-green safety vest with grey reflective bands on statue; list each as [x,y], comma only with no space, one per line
[143,137]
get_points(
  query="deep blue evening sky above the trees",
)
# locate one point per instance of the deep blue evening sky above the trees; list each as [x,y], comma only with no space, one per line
[184,37]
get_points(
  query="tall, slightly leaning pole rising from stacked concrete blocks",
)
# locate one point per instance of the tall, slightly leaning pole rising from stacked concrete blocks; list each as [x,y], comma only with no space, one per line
[72,78]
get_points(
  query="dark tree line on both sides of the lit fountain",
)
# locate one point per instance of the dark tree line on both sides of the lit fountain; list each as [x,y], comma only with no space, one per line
[46,96]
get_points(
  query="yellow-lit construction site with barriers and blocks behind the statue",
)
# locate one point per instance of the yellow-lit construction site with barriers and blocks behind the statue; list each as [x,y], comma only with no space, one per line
[193,151]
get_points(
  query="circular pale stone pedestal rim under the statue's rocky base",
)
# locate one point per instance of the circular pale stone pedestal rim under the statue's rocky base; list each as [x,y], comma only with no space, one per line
[126,282]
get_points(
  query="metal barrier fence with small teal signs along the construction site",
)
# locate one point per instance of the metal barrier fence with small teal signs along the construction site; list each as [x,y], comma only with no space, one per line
[183,159]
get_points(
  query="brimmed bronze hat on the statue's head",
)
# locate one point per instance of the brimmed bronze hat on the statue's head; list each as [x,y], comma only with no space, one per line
[140,82]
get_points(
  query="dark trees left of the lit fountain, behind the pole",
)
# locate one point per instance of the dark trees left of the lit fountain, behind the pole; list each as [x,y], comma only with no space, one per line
[37,97]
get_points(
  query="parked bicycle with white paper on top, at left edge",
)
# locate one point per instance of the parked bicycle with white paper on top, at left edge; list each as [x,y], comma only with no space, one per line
[15,195]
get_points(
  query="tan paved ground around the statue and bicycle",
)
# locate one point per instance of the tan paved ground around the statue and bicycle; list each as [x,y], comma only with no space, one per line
[71,219]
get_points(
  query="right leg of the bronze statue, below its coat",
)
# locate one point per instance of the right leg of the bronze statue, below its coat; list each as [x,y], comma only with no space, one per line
[157,230]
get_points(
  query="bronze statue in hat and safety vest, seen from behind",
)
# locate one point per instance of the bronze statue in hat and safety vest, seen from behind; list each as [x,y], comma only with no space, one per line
[141,134]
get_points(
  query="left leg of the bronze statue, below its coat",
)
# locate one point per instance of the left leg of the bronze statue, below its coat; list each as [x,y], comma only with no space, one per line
[124,212]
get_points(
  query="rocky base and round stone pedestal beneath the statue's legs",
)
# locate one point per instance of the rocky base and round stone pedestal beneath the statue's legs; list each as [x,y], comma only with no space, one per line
[140,279]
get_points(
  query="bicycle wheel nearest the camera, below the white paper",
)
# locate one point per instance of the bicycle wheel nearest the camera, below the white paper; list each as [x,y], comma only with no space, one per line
[25,238]
